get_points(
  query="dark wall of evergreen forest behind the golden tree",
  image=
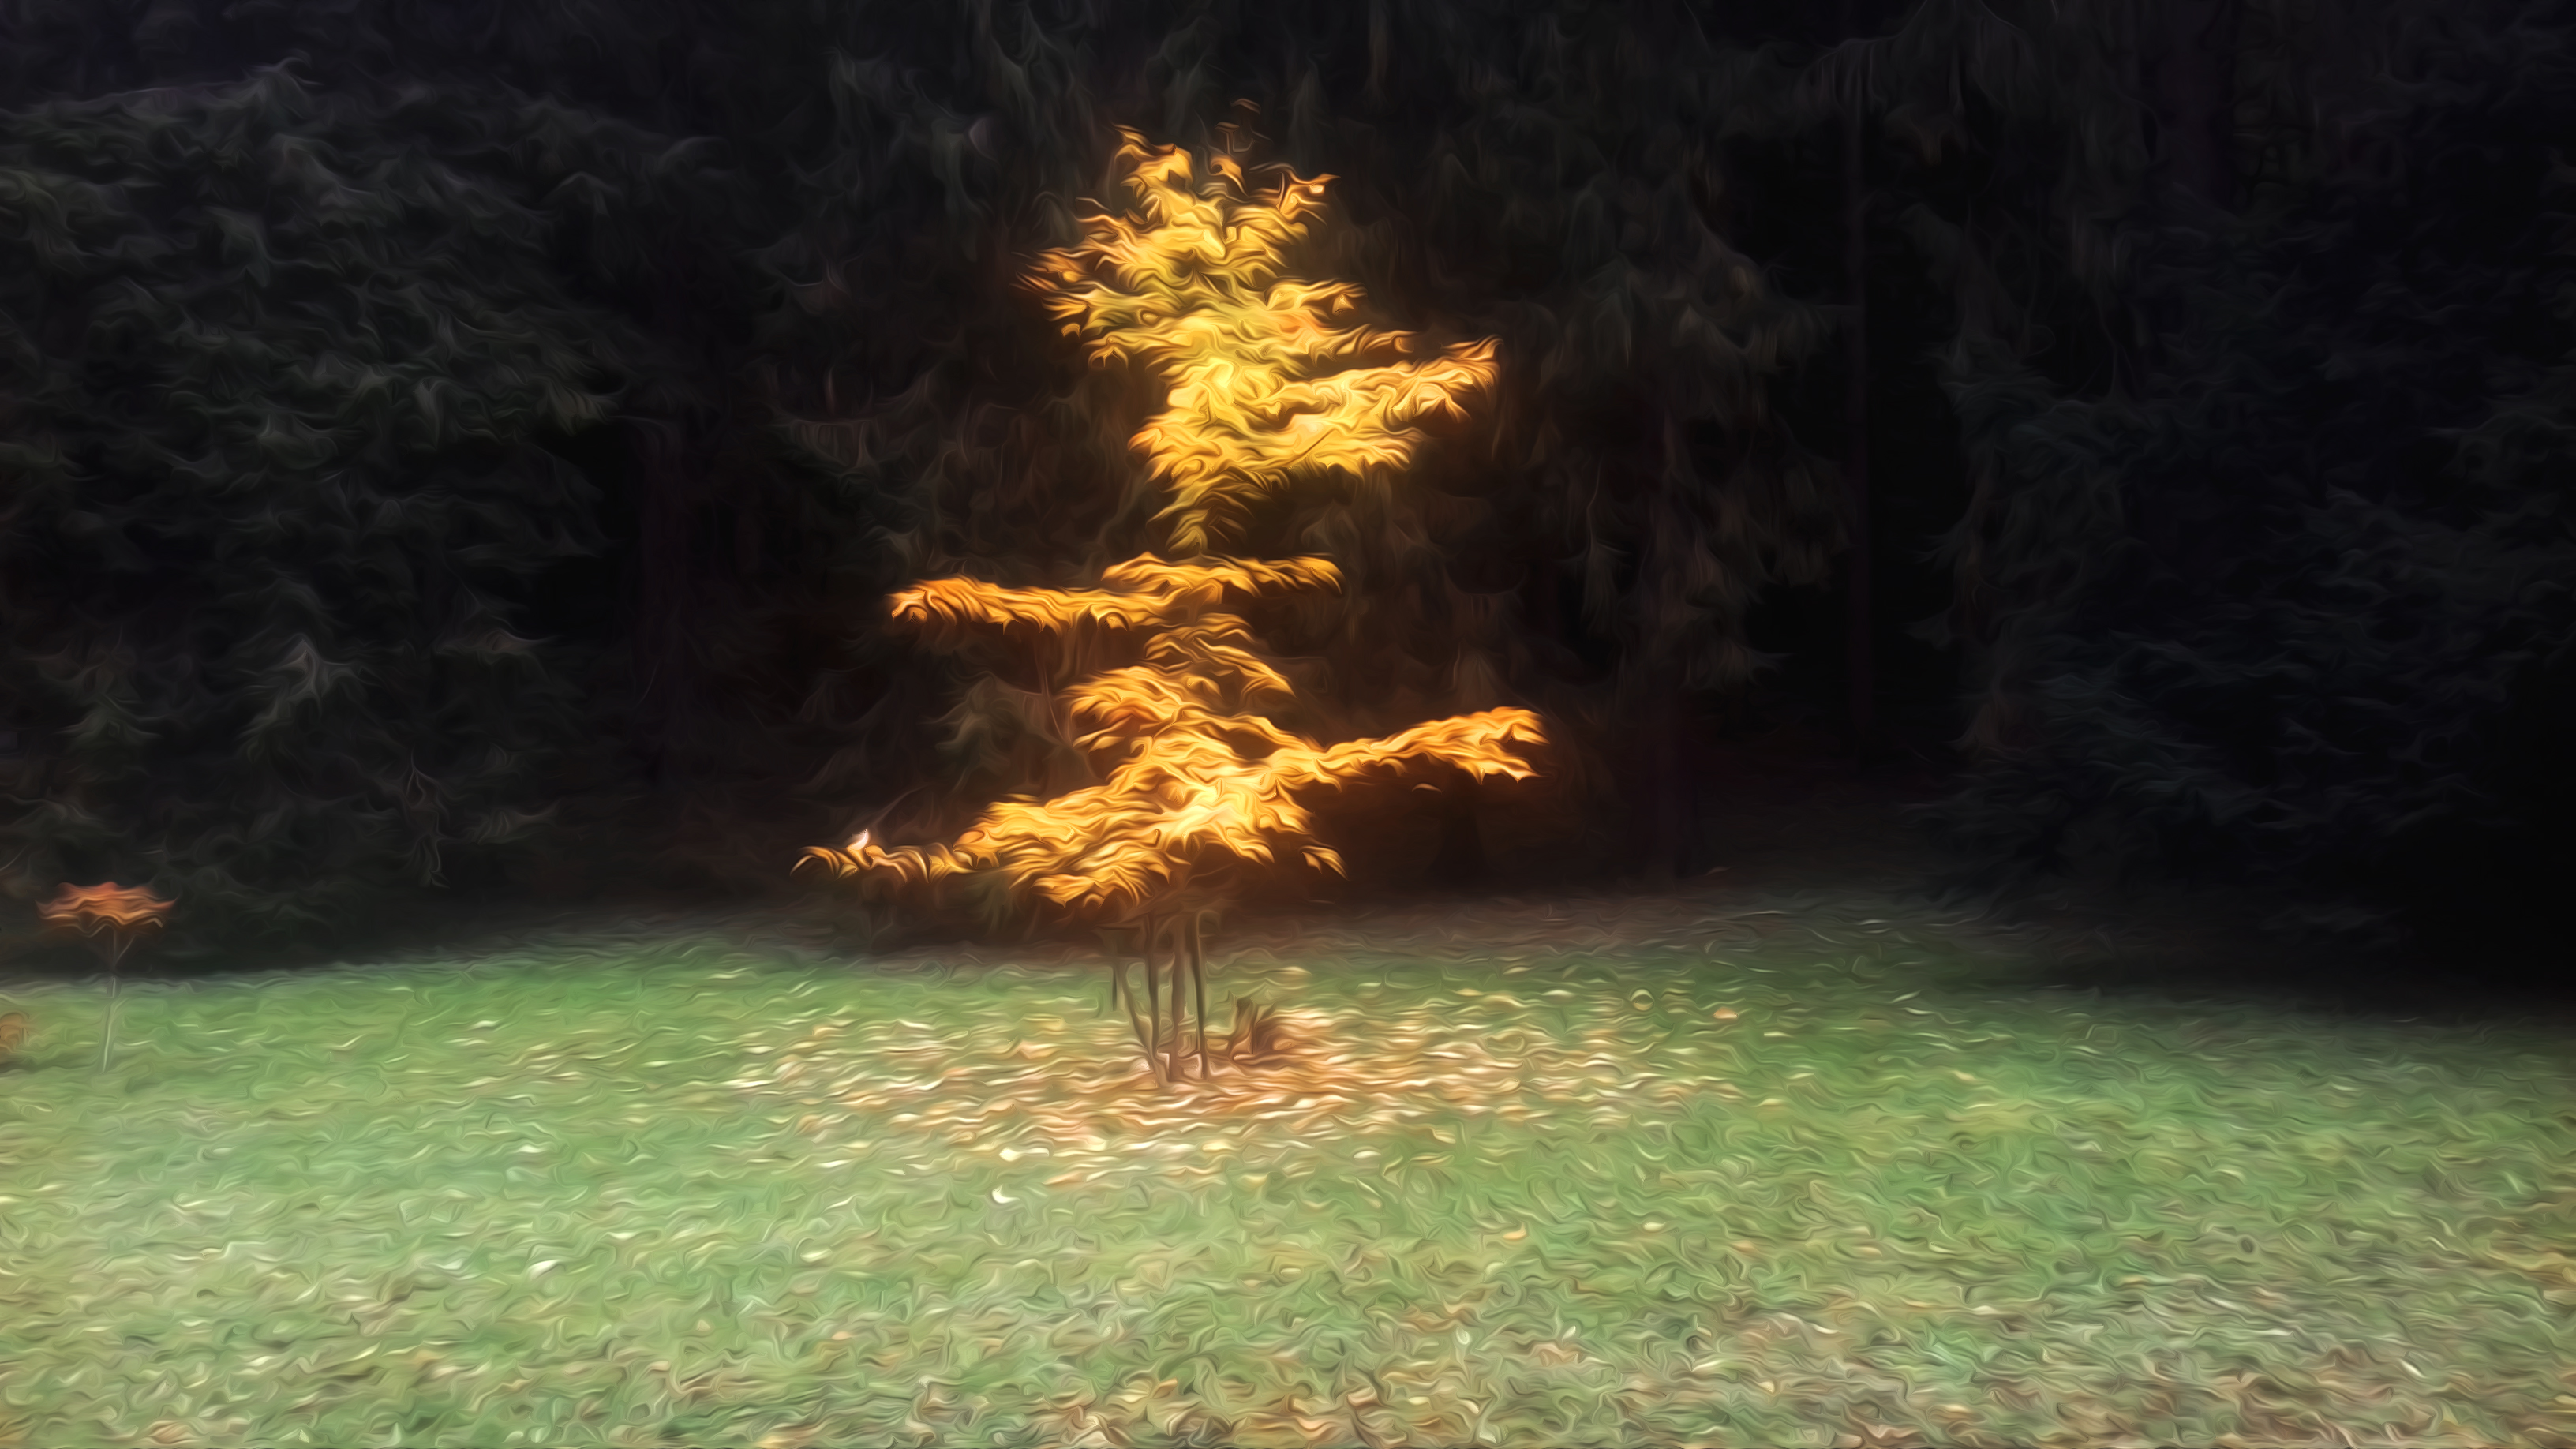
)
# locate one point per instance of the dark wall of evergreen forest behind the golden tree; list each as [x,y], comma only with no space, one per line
[462,450]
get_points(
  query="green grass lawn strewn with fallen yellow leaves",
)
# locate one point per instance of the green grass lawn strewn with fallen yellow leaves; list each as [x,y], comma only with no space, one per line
[684,1190]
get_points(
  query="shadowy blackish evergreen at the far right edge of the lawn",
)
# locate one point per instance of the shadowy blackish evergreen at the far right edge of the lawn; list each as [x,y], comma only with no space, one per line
[2289,602]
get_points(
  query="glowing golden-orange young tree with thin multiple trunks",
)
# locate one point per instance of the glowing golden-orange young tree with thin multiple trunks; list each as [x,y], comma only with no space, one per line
[1269,383]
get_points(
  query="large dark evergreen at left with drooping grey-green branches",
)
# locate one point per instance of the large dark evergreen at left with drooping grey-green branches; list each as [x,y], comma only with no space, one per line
[277,380]
